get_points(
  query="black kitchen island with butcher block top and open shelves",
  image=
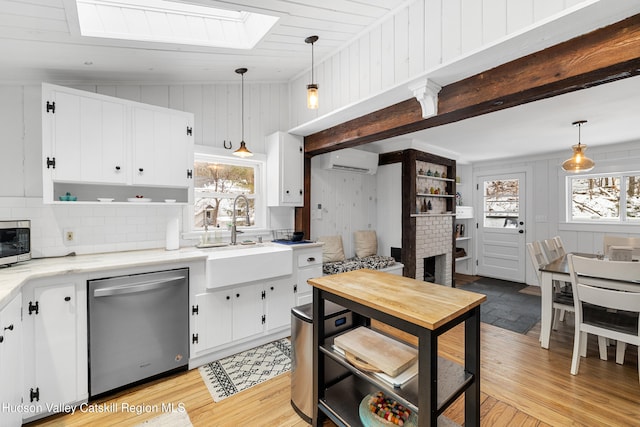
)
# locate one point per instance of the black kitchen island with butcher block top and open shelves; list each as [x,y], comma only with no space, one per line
[421,309]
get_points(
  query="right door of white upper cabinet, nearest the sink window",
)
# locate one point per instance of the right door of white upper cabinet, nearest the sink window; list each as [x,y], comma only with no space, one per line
[161,142]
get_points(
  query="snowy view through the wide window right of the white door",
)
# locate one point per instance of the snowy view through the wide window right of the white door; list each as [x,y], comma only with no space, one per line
[605,198]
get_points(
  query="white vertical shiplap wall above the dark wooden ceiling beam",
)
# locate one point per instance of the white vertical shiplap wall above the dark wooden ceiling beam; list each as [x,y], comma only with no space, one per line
[424,35]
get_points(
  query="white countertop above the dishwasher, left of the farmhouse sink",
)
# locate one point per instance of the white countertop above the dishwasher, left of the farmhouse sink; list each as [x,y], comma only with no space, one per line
[12,278]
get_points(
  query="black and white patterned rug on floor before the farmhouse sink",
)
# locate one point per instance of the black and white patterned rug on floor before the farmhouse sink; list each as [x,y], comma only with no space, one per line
[228,376]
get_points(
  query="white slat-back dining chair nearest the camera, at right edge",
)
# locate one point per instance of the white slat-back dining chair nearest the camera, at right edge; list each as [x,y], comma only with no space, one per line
[607,303]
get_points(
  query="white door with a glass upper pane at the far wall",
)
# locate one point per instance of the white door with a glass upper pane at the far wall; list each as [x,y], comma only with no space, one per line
[501,226]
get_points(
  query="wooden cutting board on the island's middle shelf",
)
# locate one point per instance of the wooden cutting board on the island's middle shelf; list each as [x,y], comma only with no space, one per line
[388,355]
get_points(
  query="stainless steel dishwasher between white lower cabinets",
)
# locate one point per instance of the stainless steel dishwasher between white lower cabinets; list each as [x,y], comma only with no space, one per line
[138,328]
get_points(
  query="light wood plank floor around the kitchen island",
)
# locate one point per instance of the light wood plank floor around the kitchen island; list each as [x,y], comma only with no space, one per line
[522,385]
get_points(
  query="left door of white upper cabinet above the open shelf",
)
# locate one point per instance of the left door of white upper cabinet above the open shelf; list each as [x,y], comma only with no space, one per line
[84,137]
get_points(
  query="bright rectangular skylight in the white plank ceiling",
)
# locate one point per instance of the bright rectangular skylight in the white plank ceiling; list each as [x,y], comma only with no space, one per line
[172,22]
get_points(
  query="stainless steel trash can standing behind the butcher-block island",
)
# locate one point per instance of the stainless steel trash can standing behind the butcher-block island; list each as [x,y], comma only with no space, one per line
[337,319]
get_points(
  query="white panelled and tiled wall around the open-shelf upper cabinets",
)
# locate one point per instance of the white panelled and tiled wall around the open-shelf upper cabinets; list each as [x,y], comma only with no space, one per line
[105,229]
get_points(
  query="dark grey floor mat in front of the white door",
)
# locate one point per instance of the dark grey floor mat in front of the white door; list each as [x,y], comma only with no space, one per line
[506,306]
